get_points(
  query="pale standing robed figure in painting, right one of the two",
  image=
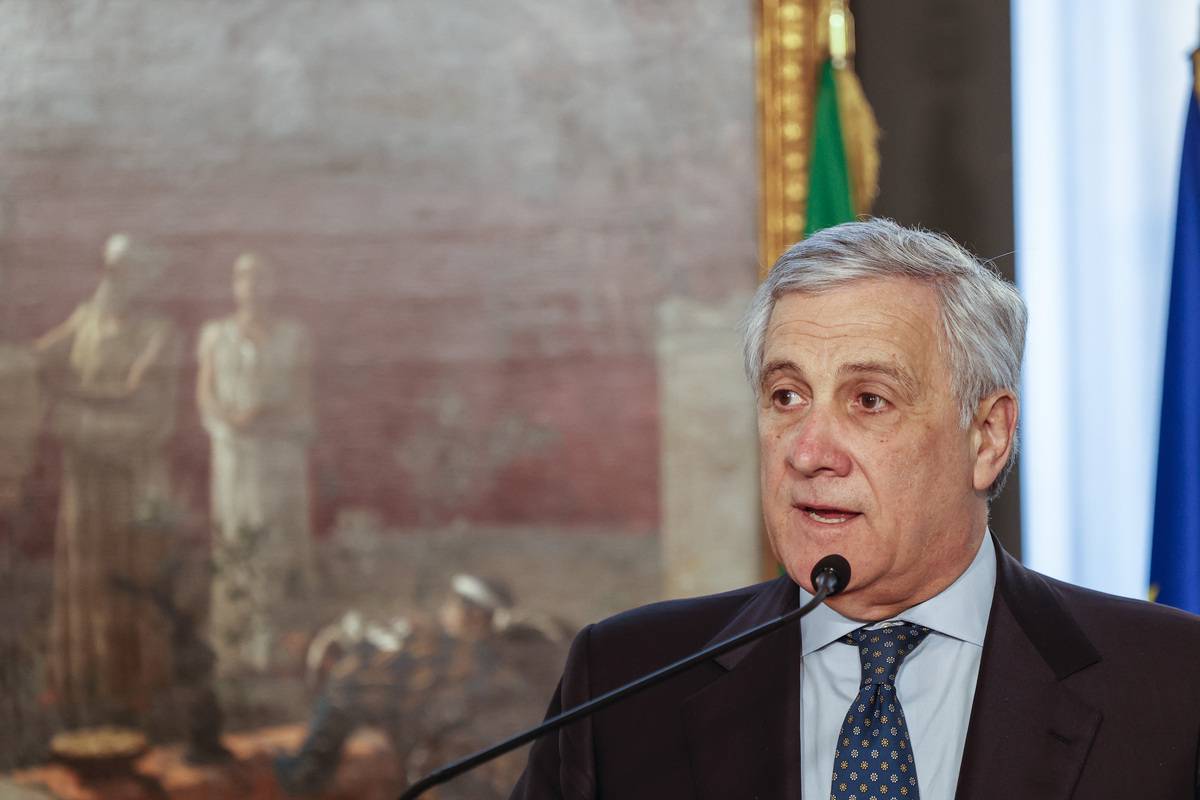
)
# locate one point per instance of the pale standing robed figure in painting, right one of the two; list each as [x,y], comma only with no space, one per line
[254,392]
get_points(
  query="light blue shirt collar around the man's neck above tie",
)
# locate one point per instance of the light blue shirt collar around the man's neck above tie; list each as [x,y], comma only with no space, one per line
[961,611]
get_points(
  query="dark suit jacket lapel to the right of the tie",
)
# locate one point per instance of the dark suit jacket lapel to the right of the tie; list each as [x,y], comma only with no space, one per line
[1029,735]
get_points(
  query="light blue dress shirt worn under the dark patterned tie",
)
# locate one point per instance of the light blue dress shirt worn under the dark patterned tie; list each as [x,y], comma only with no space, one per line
[935,684]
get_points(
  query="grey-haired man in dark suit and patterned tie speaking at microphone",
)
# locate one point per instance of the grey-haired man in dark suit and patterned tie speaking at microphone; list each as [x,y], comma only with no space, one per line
[886,364]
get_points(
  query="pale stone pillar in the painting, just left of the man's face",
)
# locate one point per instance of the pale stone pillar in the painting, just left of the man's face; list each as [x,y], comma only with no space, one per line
[710,462]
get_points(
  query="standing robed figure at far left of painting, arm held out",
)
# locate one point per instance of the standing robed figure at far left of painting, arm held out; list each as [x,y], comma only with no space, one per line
[111,371]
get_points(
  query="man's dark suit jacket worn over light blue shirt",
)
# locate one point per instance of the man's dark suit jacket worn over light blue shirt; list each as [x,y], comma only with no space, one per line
[1081,695]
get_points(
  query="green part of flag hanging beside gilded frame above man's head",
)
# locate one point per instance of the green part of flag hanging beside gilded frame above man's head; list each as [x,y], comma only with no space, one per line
[830,195]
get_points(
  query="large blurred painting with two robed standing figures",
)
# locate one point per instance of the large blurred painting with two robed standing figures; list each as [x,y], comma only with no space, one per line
[331,341]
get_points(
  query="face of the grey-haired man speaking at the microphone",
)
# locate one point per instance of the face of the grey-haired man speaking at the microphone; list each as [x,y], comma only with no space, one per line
[861,446]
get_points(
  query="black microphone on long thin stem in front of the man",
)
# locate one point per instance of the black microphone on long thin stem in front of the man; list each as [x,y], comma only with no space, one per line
[830,576]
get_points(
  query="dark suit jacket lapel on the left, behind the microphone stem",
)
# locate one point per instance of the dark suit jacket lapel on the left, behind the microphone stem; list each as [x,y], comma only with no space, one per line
[743,730]
